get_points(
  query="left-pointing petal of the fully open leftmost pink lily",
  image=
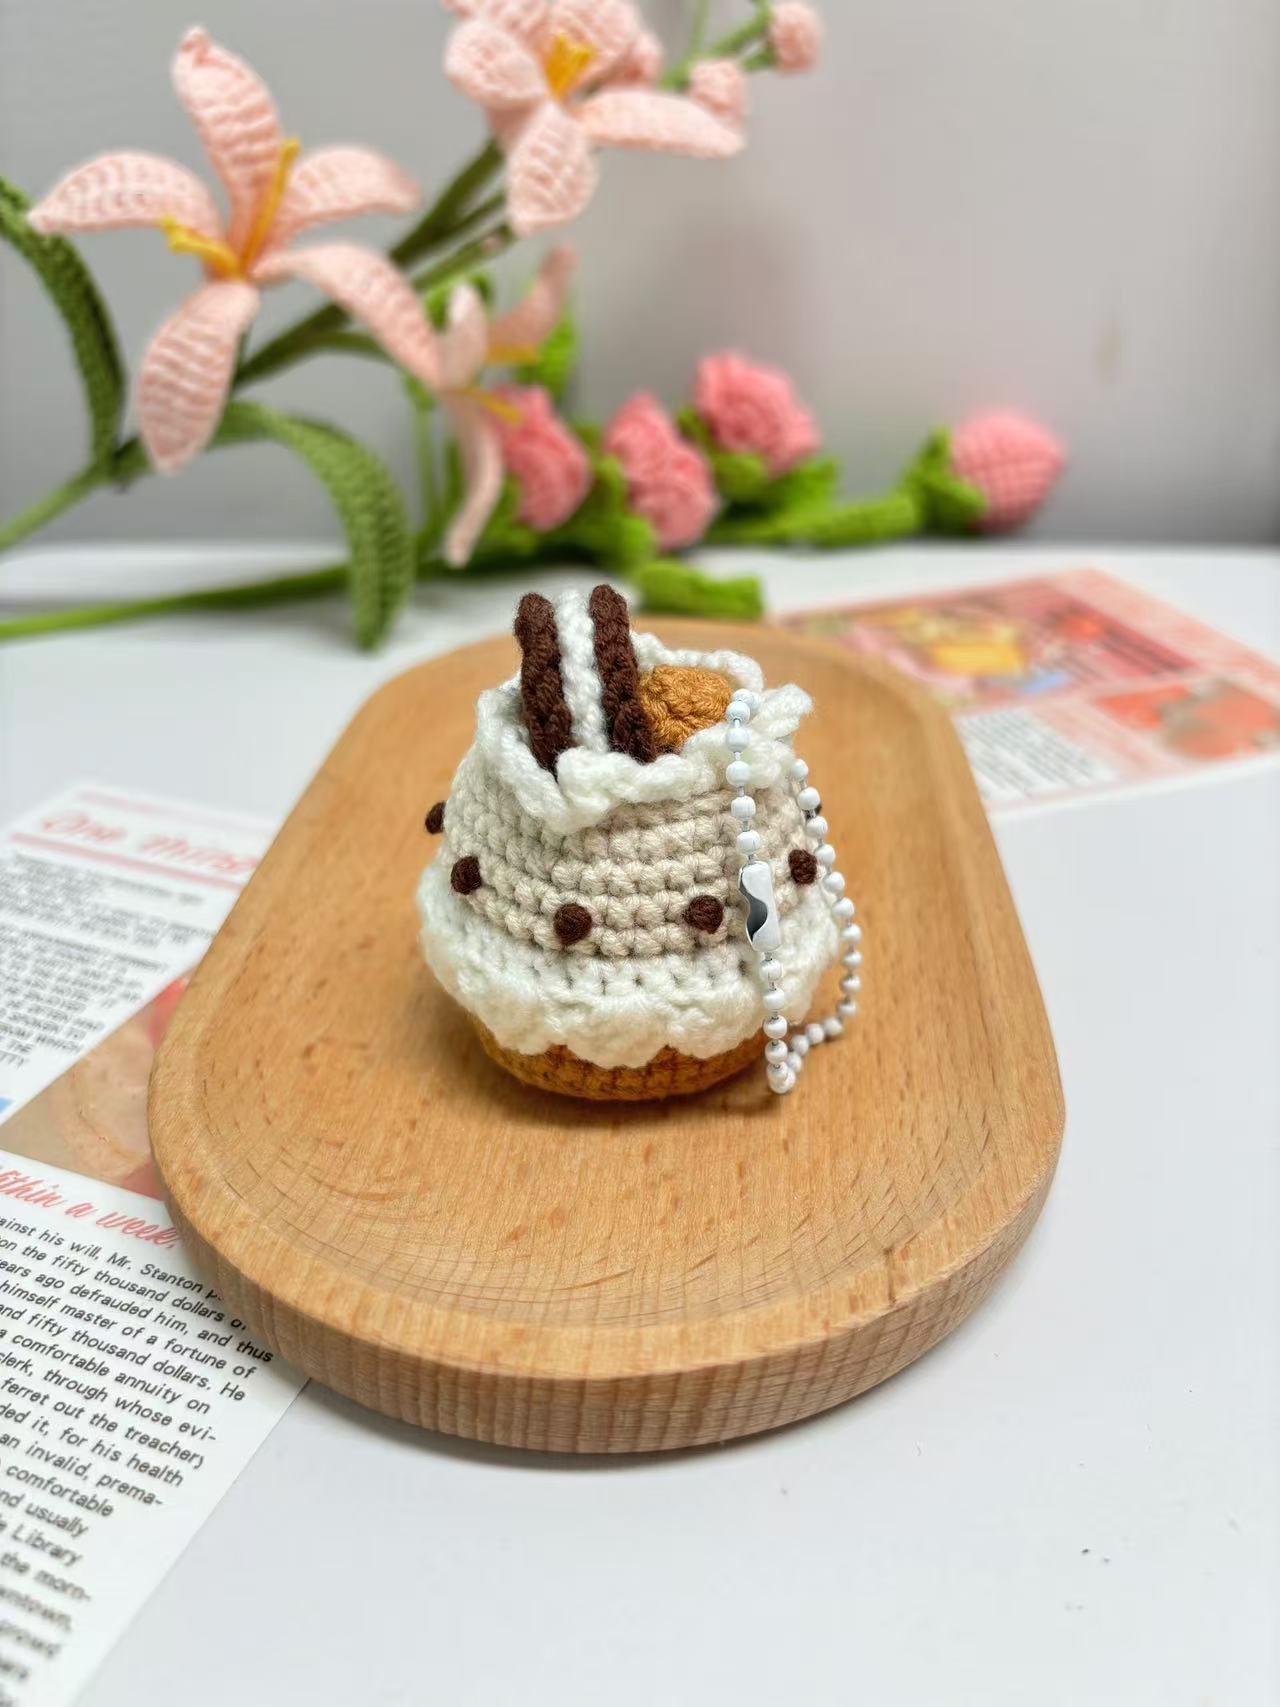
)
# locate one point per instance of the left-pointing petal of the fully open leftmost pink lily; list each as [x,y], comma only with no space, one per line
[122,190]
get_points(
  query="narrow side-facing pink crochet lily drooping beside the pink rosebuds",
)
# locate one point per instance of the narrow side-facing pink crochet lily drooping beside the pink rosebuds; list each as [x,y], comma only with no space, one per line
[470,344]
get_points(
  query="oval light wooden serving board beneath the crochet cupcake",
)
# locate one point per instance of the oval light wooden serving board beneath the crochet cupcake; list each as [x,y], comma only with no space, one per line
[409,1225]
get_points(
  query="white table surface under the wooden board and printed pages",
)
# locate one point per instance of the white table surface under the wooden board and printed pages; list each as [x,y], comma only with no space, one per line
[1074,1500]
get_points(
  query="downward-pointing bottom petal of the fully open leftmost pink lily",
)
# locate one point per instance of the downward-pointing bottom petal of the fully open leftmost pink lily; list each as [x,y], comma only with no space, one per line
[187,371]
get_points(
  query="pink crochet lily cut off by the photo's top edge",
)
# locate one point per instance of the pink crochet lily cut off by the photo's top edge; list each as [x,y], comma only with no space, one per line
[556,81]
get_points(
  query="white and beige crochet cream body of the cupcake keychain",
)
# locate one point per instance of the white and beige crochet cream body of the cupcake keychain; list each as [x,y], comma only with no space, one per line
[632,844]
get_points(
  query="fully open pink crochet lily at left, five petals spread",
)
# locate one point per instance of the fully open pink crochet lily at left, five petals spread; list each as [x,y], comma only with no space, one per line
[274,195]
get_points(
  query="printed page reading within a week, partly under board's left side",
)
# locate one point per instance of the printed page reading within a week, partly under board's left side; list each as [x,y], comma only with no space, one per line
[131,1399]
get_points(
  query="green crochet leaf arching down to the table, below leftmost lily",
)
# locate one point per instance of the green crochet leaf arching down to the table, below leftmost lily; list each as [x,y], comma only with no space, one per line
[368,503]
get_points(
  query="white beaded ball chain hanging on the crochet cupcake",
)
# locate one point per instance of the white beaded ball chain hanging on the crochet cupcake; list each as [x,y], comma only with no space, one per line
[784,1056]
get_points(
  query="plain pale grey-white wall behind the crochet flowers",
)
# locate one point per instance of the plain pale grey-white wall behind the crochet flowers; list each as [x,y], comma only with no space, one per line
[1068,206]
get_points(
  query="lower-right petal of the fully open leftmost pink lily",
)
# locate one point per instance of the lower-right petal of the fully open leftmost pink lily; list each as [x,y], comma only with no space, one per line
[373,293]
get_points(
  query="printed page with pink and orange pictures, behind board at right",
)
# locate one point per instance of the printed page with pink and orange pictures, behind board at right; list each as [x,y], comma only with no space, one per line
[1073,685]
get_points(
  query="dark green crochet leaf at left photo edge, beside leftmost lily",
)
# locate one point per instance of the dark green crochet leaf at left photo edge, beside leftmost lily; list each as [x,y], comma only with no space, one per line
[76,296]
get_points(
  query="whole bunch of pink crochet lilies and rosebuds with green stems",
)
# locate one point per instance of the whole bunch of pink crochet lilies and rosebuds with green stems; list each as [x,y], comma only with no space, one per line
[508,477]
